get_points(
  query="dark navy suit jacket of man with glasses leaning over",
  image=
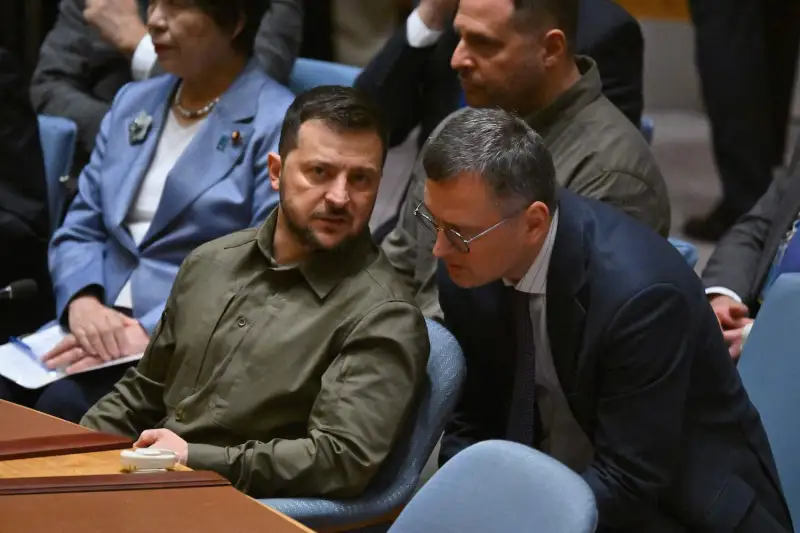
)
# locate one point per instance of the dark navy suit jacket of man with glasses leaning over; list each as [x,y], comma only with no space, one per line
[641,359]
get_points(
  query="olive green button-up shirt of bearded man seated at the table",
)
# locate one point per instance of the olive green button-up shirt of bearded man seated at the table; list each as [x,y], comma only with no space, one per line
[287,380]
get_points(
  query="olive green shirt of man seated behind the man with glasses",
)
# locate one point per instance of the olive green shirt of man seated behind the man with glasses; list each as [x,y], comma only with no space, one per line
[596,152]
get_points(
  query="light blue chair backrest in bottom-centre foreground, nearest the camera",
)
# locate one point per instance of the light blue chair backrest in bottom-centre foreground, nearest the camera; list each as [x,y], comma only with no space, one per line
[501,486]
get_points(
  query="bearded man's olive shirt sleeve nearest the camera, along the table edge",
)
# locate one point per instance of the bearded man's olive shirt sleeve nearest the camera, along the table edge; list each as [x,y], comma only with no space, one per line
[365,395]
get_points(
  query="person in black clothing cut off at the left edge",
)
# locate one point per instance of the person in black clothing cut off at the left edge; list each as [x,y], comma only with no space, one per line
[24,228]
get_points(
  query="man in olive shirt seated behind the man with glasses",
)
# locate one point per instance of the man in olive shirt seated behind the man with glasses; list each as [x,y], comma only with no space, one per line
[521,60]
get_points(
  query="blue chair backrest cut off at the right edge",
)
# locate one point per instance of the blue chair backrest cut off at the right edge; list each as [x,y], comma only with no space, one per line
[770,370]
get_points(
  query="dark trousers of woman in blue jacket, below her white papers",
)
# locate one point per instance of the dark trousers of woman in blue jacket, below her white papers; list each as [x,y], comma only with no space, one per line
[68,398]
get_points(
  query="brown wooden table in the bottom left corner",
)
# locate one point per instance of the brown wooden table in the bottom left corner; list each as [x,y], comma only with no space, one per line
[220,509]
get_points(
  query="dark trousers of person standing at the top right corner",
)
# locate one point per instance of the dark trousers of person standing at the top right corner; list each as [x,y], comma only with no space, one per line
[747,58]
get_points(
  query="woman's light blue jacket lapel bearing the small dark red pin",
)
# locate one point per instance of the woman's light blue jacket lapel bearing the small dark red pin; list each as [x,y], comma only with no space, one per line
[213,153]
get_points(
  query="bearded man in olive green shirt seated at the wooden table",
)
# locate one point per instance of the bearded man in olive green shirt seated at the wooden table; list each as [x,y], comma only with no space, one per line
[288,356]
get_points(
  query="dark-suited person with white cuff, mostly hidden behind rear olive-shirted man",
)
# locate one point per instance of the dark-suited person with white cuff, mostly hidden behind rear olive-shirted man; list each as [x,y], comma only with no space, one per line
[413,81]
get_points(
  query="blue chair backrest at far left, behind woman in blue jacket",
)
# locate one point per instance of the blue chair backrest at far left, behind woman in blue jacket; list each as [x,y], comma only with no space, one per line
[58,137]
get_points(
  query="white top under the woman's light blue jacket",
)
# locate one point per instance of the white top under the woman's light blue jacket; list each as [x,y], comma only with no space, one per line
[171,145]
